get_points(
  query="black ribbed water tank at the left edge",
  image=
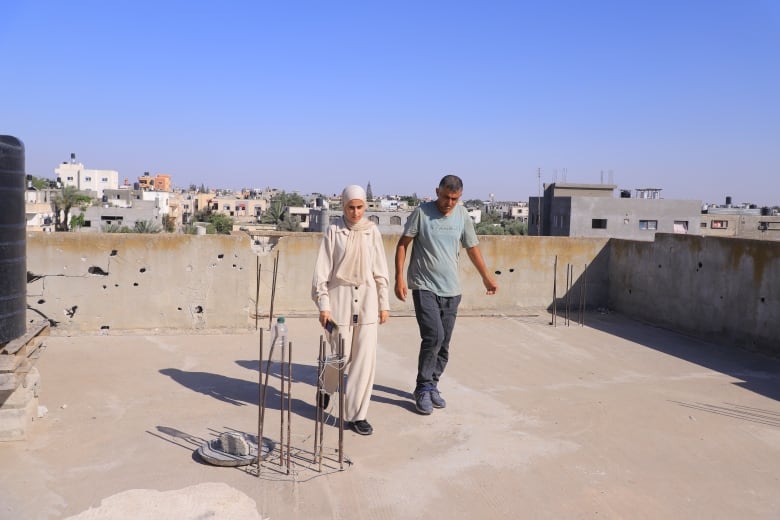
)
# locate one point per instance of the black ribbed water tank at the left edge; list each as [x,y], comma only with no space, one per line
[13,245]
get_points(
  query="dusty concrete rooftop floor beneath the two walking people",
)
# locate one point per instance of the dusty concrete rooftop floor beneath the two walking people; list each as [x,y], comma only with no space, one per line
[614,419]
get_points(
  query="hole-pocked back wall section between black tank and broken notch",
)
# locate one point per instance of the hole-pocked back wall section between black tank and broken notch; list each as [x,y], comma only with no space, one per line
[97,283]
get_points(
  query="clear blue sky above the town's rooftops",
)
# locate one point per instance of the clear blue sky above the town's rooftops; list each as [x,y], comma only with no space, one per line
[682,95]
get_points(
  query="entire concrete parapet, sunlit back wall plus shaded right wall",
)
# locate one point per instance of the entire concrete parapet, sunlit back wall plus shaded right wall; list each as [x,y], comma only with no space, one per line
[717,288]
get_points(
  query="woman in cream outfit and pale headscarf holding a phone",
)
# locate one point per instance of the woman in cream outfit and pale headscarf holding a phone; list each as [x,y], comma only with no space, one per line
[350,287]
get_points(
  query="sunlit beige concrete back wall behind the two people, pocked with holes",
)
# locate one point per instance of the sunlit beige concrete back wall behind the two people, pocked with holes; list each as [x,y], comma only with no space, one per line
[100,283]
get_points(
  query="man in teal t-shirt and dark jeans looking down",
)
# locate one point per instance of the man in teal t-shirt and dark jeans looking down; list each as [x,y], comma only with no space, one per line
[438,229]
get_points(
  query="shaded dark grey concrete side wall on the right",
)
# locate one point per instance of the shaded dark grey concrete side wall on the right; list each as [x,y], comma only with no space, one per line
[721,289]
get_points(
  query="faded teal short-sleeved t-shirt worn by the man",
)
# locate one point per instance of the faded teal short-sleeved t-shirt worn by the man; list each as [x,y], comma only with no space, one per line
[433,265]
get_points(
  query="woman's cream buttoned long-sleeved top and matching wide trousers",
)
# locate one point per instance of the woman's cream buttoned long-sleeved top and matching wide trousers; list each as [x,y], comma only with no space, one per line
[355,308]
